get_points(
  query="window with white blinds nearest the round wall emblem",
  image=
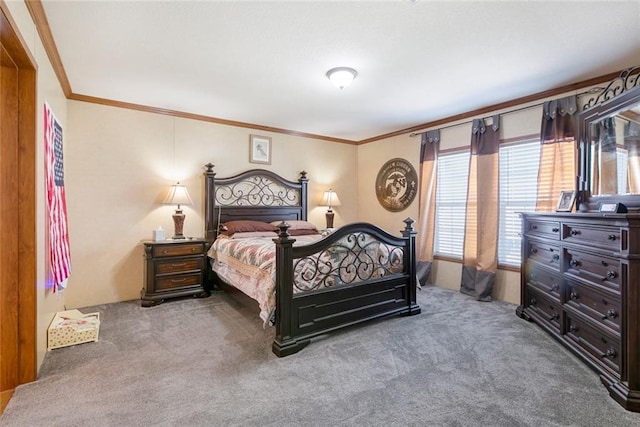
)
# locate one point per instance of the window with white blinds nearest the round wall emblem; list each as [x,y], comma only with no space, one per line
[451,200]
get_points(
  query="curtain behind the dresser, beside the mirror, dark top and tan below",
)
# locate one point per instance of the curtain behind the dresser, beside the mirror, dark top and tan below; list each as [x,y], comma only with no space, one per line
[558,153]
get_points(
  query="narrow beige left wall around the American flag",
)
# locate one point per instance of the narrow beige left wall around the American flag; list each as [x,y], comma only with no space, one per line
[49,90]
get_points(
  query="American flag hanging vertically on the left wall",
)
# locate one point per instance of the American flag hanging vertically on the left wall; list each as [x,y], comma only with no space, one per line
[59,255]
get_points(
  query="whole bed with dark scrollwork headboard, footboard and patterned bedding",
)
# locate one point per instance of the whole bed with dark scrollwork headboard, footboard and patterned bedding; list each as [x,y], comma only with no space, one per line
[315,283]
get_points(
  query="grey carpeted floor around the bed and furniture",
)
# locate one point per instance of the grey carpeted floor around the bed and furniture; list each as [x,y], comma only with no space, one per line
[208,362]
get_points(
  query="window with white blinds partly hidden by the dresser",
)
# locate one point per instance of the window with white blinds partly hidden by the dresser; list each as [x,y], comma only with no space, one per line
[518,188]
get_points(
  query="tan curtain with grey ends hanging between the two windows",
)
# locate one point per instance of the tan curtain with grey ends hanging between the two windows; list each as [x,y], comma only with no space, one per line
[480,260]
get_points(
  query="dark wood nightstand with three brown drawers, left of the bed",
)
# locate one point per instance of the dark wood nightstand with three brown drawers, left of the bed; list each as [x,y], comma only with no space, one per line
[173,268]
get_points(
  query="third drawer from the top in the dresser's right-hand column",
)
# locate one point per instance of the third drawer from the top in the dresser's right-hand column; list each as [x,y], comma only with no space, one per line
[600,306]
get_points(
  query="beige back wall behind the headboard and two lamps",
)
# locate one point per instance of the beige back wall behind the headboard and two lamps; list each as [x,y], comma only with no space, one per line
[120,163]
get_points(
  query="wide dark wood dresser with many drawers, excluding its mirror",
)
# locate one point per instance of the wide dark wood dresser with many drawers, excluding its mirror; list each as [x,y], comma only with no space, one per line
[580,283]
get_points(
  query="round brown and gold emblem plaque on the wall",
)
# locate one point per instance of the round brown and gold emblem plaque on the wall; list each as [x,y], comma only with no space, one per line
[396,185]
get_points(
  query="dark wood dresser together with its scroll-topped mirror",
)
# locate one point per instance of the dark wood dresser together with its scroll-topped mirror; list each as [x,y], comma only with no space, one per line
[580,278]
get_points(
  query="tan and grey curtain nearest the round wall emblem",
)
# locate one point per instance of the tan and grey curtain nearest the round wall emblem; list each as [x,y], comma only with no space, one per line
[429,148]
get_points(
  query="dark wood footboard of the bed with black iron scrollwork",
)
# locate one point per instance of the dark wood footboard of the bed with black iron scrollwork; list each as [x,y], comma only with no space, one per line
[374,283]
